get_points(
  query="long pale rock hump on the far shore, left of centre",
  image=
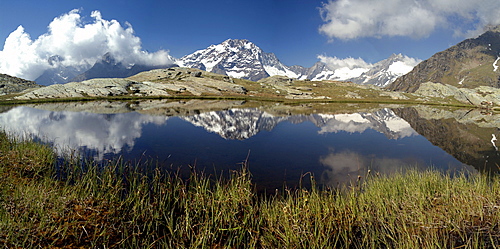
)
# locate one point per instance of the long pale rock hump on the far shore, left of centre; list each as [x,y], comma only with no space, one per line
[171,81]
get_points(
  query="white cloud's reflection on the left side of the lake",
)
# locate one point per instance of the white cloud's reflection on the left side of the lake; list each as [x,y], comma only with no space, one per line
[103,133]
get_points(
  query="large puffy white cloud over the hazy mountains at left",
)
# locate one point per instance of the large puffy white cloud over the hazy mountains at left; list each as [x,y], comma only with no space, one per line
[77,43]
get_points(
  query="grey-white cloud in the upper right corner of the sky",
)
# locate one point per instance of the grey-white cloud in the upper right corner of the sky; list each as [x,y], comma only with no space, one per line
[350,19]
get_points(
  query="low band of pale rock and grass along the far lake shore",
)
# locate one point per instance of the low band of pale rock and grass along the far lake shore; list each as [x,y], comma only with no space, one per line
[188,83]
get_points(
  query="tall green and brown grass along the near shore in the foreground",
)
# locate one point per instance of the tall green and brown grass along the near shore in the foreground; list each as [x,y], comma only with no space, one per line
[121,205]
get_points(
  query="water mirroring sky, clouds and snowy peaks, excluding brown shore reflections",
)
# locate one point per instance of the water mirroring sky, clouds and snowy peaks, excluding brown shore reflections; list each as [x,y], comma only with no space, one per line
[336,148]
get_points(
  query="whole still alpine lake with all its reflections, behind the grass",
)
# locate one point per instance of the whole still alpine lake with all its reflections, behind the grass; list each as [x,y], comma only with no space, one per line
[281,145]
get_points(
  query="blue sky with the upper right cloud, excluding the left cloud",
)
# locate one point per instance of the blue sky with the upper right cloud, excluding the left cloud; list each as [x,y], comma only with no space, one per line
[297,31]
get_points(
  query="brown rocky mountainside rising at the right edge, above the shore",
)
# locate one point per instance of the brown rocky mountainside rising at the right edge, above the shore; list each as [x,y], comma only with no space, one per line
[469,64]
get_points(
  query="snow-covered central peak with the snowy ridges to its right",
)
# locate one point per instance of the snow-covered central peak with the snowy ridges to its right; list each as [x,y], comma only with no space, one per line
[243,59]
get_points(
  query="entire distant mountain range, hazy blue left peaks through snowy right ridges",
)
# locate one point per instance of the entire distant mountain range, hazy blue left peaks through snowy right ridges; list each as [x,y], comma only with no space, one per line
[237,58]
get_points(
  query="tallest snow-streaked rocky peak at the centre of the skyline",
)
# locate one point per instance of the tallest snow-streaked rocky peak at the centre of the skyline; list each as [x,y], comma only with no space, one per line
[237,58]
